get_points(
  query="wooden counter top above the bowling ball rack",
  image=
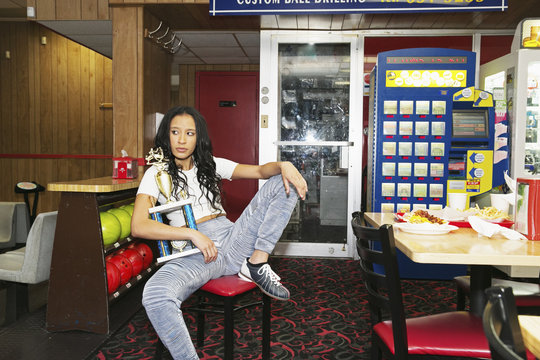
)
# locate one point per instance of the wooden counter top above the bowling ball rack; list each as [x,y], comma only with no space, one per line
[96,185]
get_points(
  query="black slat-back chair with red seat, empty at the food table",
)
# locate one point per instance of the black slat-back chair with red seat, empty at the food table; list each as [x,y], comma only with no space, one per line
[456,334]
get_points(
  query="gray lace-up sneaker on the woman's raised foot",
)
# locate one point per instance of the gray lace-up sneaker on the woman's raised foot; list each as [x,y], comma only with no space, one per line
[266,279]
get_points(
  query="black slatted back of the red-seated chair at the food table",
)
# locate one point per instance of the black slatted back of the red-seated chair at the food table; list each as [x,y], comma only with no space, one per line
[383,286]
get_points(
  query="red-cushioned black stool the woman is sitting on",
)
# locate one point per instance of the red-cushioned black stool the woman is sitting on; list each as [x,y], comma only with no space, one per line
[228,292]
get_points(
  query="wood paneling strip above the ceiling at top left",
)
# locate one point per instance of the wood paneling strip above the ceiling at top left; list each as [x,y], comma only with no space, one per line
[71,9]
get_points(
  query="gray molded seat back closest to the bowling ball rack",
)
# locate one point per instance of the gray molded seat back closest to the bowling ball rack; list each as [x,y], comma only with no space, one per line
[39,245]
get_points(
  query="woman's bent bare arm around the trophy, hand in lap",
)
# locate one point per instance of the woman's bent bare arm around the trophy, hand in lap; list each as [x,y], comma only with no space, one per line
[144,227]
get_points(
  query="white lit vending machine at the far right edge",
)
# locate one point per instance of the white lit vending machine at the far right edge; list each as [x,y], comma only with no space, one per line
[513,79]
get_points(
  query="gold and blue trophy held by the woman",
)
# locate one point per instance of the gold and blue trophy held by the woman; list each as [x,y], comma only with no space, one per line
[164,182]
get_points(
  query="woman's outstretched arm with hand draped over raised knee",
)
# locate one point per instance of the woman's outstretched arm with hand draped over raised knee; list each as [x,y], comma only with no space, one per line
[287,170]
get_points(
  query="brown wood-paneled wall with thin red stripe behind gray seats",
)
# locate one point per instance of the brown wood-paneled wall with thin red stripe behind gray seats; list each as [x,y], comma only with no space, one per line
[49,105]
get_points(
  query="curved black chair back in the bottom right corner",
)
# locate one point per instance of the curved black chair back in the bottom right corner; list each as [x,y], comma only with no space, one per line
[501,325]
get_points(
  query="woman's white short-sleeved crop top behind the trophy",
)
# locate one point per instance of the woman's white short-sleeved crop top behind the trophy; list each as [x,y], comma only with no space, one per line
[201,205]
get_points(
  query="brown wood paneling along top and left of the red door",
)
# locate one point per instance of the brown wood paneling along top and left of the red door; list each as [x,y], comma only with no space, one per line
[185,95]
